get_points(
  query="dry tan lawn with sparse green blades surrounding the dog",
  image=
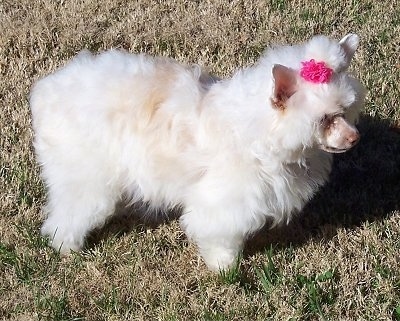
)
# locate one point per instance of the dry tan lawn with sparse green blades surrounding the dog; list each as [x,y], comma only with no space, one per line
[338,260]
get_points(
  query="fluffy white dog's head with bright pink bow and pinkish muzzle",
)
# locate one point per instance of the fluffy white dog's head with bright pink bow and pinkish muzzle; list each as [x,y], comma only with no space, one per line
[317,101]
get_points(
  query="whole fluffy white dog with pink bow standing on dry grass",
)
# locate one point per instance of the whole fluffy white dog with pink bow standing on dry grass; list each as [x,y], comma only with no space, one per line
[231,153]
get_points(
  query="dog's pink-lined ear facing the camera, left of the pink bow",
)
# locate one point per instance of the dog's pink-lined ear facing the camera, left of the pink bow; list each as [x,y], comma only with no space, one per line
[285,85]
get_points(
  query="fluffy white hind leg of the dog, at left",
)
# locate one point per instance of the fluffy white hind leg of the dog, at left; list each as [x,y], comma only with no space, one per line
[76,206]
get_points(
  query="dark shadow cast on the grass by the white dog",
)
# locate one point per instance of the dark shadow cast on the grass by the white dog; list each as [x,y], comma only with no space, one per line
[364,186]
